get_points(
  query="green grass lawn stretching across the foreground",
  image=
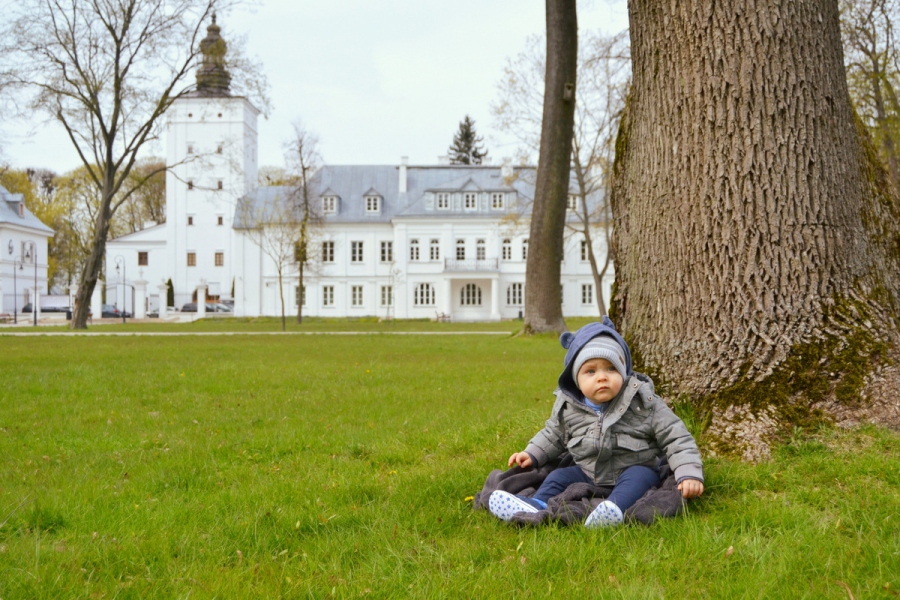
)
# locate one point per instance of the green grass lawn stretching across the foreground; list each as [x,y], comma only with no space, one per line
[339,466]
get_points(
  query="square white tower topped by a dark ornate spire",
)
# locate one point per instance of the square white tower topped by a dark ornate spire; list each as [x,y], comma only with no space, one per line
[212,149]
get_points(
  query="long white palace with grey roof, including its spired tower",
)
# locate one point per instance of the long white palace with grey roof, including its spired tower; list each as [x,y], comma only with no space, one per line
[396,241]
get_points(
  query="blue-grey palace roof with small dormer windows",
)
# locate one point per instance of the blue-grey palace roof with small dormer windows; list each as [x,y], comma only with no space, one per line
[351,183]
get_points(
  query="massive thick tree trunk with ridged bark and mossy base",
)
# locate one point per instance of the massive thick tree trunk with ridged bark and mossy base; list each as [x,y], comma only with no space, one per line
[756,244]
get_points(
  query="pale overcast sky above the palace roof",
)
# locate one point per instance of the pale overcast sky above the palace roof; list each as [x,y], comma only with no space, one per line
[375,80]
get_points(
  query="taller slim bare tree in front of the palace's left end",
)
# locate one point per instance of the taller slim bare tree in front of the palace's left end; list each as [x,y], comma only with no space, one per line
[303,159]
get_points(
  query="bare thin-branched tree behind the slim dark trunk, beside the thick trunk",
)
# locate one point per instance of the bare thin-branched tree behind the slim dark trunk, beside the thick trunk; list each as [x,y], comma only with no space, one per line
[603,79]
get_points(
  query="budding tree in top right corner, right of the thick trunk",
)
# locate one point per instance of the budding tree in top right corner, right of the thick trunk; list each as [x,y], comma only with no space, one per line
[873,72]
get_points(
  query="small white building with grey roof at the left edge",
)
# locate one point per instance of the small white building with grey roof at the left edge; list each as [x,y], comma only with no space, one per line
[23,248]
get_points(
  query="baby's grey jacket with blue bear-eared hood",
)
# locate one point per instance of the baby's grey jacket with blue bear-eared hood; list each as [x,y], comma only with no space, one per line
[637,428]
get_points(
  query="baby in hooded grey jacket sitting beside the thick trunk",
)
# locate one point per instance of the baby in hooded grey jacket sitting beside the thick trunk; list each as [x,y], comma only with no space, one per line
[615,428]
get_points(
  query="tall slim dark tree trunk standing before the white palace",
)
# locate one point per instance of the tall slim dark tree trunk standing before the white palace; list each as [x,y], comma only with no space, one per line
[543,302]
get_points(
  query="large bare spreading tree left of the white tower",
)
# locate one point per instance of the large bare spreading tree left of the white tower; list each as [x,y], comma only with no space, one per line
[107,72]
